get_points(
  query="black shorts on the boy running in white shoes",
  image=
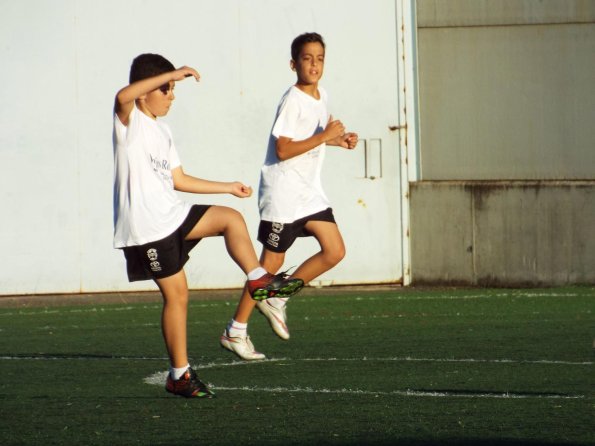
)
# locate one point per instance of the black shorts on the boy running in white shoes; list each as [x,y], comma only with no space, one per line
[278,237]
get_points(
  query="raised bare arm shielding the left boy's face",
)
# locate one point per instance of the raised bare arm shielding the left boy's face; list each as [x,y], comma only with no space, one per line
[126,96]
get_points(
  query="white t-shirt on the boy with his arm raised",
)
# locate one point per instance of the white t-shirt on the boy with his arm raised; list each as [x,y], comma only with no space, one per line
[146,206]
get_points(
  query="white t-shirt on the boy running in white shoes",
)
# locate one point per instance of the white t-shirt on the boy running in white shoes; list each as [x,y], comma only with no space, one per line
[292,189]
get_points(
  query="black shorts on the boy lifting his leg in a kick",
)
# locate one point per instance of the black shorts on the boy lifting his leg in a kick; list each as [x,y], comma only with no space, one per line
[165,257]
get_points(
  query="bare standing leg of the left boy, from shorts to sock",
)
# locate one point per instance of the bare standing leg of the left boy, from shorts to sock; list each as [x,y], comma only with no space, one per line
[174,290]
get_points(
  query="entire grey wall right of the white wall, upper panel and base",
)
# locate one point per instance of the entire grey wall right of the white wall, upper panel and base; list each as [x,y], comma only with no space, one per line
[507,143]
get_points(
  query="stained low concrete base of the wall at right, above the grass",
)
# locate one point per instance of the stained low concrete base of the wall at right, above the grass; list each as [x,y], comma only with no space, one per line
[503,234]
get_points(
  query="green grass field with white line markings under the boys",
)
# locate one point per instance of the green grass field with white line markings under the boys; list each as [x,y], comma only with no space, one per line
[363,367]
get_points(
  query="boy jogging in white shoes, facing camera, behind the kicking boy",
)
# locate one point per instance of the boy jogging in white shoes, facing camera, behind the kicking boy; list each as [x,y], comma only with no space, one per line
[291,199]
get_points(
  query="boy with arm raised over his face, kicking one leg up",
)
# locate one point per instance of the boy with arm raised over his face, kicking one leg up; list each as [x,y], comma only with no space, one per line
[156,229]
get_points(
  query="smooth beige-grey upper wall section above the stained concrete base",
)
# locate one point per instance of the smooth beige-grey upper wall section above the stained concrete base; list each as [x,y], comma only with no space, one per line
[506,89]
